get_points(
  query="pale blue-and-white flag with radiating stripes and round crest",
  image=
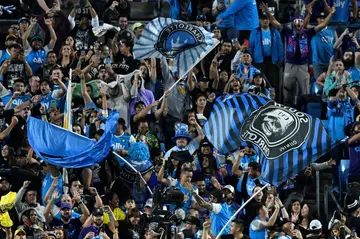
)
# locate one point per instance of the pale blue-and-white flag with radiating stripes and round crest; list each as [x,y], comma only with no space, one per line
[185,43]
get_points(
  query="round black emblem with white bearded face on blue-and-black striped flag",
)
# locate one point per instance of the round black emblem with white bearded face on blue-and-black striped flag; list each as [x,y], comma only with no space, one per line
[276,129]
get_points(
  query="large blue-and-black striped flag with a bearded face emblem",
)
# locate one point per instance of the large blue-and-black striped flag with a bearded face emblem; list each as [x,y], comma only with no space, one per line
[286,140]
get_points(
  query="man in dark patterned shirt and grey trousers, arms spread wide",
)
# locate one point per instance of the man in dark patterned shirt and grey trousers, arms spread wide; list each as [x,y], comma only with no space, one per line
[297,52]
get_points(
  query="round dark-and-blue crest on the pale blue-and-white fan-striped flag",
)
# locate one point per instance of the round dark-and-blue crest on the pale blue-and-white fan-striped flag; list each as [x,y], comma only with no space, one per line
[177,37]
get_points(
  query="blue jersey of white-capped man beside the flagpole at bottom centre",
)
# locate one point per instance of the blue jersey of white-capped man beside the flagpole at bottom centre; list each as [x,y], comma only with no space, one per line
[220,218]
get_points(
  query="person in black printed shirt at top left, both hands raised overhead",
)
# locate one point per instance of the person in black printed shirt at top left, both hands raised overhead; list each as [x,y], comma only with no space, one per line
[83,34]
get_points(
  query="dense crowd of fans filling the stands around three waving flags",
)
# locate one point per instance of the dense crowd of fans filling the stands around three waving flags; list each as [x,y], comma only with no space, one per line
[313,60]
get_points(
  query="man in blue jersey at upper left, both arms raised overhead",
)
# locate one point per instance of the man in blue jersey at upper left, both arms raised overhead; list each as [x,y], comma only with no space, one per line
[35,52]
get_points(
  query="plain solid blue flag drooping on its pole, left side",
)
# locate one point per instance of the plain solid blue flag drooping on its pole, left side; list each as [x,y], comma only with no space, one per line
[63,148]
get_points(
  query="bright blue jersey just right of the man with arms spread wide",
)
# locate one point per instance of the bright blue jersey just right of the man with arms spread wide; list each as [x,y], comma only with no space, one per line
[322,46]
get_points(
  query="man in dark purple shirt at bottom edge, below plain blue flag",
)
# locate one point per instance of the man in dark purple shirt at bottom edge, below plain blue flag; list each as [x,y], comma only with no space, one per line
[96,229]
